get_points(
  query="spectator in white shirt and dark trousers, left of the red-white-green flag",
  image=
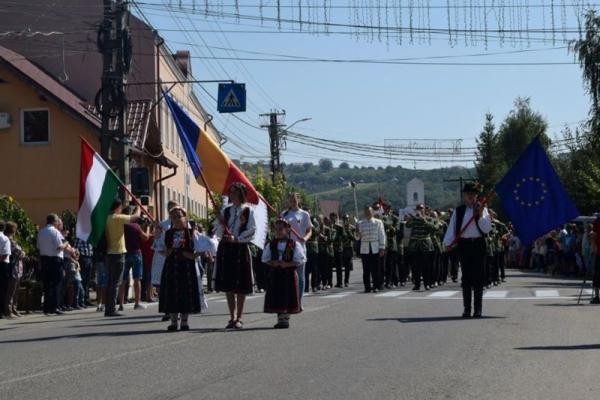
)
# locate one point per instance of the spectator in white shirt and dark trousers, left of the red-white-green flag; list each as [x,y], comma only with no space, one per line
[51,244]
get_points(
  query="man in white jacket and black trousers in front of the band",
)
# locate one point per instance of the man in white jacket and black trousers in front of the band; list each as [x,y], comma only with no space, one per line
[372,248]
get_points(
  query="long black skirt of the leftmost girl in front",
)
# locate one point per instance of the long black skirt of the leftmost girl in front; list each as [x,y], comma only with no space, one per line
[179,291]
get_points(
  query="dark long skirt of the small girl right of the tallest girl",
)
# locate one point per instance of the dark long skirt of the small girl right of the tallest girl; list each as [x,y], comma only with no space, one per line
[282,295]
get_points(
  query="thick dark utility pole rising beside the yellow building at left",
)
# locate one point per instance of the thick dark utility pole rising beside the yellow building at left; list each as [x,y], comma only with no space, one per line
[114,42]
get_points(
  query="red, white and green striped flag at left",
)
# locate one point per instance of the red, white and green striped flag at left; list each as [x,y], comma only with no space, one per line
[97,191]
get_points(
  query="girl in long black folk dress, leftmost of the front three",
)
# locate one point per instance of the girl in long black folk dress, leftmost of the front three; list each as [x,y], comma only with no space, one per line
[179,291]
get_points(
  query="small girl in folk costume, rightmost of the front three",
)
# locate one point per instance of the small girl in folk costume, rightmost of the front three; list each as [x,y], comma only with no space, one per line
[283,255]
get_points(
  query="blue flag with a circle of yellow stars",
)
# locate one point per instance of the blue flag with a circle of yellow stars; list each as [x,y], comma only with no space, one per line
[533,197]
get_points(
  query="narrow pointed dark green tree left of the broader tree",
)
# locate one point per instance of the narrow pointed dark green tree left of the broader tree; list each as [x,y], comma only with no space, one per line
[488,164]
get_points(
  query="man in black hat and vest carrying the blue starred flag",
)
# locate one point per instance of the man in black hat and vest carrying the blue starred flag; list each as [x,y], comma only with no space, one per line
[467,229]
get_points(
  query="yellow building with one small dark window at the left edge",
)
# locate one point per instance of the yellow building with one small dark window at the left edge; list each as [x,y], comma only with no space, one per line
[41,123]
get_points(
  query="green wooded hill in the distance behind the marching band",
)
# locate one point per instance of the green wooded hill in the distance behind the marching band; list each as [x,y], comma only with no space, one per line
[332,183]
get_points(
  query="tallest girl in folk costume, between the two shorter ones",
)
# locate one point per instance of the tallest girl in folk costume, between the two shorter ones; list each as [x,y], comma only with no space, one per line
[233,269]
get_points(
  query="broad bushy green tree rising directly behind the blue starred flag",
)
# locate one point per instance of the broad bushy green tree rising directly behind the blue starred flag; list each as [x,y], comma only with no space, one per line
[518,130]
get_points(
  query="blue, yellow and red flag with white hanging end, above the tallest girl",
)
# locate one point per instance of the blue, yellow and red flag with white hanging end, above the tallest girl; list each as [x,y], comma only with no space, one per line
[206,156]
